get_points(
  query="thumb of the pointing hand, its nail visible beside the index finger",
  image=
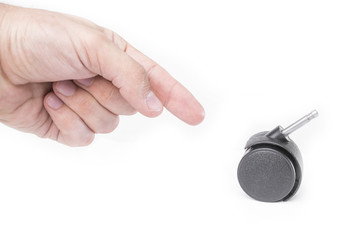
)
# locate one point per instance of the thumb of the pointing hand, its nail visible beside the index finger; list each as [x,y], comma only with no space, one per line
[130,77]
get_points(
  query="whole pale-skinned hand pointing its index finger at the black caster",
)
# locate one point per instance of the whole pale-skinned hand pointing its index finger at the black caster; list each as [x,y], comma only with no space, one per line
[65,78]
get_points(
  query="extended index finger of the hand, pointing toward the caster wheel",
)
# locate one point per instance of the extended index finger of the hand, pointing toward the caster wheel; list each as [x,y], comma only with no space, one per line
[174,96]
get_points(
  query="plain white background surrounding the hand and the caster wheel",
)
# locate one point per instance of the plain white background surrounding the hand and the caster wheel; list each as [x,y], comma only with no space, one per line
[253,65]
